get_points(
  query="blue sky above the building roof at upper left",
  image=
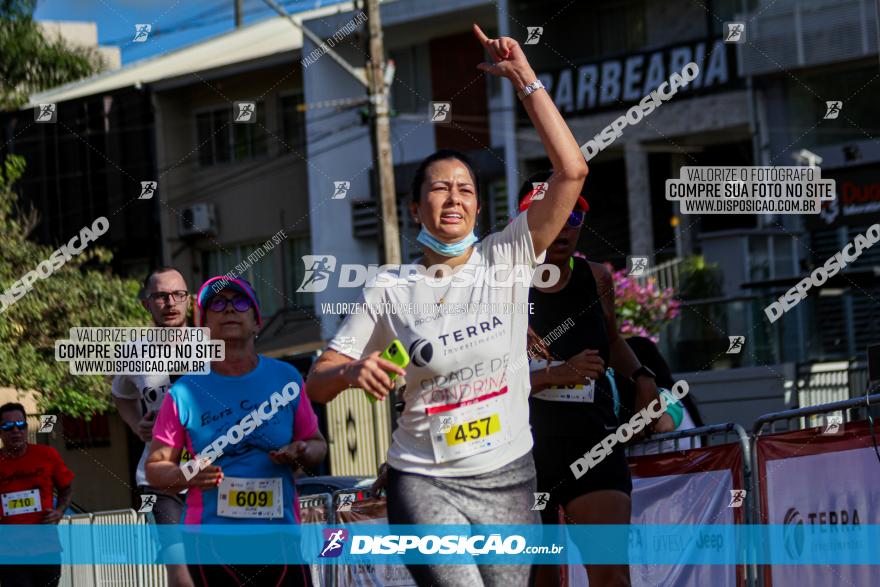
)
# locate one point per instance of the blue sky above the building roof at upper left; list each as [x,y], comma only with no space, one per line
[175,23]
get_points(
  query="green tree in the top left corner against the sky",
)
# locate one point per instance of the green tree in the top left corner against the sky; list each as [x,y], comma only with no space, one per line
[32,62]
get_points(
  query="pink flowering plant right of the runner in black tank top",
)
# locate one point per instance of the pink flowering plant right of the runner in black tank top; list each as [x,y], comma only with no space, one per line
[642,310]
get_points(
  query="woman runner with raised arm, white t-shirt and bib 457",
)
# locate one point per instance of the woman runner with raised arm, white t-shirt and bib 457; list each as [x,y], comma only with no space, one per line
[462,451]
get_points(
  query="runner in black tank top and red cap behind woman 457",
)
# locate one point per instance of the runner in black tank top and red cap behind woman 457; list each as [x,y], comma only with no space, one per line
[569,415]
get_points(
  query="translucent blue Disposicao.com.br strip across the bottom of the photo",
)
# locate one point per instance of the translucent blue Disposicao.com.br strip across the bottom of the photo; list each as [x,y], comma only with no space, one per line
[791,544]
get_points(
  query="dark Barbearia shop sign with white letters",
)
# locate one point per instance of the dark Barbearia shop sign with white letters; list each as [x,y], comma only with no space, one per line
[617,83]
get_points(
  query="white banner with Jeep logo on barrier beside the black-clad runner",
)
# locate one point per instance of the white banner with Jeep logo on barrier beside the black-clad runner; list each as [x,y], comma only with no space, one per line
[691,498]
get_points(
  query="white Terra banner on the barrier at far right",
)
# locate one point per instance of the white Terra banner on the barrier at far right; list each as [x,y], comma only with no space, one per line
[837,489]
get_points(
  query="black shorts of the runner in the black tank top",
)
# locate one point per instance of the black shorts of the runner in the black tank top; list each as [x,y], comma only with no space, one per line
[563,432]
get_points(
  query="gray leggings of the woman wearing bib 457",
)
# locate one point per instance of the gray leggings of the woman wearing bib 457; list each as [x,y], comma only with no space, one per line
[504,496]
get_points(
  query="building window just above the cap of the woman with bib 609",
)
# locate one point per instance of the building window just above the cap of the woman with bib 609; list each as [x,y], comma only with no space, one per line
[260,272]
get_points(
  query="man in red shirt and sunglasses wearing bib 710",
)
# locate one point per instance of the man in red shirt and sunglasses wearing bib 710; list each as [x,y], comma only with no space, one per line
[29,476]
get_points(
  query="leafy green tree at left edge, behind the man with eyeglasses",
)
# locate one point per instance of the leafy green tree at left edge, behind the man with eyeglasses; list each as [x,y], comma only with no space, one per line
[80,293]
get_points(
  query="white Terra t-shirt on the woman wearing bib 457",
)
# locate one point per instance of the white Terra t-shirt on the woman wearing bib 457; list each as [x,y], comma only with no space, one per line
[465,415]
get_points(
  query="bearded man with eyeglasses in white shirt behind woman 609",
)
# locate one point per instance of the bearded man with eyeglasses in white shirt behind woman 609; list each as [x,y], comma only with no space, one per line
[139,397]
